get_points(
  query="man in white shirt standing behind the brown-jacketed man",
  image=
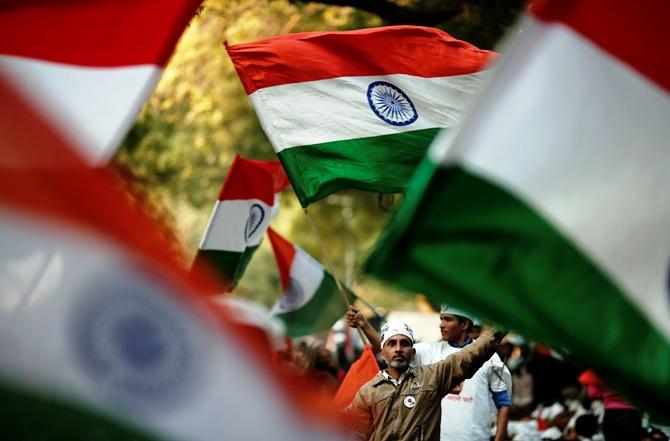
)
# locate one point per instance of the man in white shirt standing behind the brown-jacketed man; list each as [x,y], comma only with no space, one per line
[467,412]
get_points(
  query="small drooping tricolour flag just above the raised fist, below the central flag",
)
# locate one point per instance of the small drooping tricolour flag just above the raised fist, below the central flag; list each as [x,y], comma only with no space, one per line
[310,300]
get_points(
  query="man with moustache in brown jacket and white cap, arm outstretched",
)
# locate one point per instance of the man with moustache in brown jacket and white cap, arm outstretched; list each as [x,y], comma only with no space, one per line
[403,402]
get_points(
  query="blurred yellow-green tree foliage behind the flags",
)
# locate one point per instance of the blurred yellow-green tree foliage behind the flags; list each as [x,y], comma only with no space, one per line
[199,117]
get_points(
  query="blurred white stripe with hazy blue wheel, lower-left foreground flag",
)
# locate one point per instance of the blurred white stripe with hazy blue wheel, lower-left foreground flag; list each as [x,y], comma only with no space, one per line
[220,390]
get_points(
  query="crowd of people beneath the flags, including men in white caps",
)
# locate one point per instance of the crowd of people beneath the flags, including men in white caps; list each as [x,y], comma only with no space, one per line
[470,387]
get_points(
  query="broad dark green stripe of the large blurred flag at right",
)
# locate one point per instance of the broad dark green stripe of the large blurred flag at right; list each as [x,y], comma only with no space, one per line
[465,241]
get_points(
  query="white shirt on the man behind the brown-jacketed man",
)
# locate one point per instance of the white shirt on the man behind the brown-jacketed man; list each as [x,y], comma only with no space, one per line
[468,415]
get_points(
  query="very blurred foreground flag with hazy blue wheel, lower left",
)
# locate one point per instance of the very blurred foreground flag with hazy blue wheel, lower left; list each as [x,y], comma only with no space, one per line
[101,337]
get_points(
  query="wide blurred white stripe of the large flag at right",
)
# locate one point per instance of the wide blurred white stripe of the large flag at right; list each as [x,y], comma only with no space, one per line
[584,139]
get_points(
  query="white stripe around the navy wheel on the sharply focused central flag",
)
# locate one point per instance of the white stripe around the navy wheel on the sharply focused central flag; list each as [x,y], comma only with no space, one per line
[337,109]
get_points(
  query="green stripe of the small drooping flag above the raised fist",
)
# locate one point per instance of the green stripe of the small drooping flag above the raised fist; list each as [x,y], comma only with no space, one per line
[320,313]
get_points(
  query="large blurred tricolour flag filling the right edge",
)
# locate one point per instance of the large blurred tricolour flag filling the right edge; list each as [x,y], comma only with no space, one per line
[548,209]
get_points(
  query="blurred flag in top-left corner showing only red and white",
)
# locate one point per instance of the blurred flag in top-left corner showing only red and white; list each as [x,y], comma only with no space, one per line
[88,66]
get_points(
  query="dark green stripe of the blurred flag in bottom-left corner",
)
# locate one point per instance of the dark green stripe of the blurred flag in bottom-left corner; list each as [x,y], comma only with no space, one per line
[29,416]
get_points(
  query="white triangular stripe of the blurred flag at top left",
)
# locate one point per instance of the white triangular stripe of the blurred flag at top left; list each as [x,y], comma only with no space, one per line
[92,107]
